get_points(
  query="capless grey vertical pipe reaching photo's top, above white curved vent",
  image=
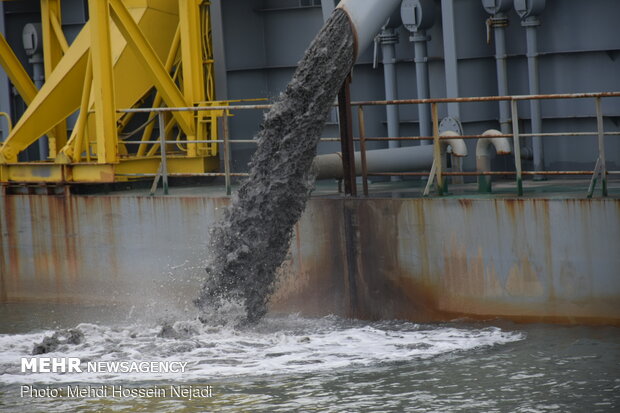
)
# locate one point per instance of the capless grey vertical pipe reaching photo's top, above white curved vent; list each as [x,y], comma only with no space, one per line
[450,57]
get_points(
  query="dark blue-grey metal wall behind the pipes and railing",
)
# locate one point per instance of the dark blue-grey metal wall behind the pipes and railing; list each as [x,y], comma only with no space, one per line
[580,52]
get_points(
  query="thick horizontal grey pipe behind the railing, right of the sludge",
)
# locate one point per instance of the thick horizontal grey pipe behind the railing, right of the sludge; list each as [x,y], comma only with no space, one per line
[411,158]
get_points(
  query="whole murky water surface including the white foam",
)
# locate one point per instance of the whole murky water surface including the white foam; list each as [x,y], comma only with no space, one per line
[290,363]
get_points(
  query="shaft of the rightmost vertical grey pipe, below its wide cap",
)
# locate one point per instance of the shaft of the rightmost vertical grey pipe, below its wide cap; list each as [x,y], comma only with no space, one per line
[531,27]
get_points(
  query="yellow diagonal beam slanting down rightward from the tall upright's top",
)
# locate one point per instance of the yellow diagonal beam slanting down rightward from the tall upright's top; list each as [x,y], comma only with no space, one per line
[152,65]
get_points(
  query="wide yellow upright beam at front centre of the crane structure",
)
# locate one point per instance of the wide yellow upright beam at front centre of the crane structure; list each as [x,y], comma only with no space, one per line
[103,81]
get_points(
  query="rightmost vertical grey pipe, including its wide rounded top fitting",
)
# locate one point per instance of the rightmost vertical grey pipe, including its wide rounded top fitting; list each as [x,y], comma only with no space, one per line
[529,10]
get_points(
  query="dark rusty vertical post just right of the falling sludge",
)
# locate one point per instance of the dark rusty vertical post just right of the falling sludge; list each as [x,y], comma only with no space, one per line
[346,138]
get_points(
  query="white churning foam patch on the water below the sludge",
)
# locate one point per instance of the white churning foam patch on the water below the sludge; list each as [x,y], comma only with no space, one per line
[275,346]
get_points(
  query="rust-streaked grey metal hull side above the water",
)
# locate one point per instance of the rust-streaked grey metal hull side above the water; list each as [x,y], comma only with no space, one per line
[553,260]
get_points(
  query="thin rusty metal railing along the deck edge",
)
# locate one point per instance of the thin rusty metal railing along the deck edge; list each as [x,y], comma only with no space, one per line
[437,173]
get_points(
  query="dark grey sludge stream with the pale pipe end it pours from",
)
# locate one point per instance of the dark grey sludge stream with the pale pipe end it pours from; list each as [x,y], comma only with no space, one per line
[252,241]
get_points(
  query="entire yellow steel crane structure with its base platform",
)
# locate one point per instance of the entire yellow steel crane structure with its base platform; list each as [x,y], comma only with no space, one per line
[130,54]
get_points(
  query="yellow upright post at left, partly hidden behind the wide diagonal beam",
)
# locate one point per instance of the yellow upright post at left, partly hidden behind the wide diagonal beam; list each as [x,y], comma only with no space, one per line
[53,44]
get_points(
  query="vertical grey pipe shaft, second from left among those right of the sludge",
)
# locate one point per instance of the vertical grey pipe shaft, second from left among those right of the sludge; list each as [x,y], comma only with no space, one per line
[420,40]
